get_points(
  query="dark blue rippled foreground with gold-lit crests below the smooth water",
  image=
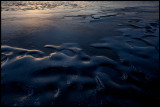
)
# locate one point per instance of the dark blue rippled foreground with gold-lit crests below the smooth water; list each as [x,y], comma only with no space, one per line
[68,75]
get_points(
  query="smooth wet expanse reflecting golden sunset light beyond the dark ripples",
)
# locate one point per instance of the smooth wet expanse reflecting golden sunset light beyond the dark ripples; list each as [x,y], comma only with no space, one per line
[64,21]
